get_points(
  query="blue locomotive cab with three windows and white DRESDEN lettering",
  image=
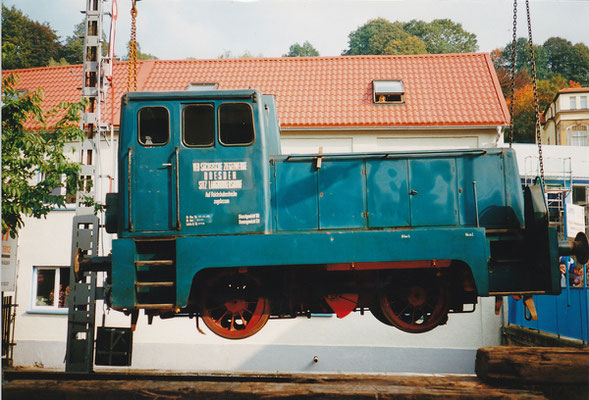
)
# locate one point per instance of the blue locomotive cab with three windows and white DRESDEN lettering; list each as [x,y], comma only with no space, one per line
[194,166]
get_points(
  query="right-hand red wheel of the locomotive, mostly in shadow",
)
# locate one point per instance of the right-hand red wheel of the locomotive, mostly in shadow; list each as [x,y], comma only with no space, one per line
[416,307]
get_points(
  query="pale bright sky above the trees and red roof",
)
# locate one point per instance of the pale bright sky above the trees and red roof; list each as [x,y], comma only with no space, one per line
[177,29]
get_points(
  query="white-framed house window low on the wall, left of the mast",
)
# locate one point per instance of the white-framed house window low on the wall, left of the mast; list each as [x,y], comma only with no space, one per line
[50,288]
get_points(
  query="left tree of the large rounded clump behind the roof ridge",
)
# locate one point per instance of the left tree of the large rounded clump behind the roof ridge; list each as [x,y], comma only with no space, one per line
[380,36]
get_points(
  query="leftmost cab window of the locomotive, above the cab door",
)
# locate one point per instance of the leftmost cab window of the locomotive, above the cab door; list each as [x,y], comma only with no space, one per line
[154,126]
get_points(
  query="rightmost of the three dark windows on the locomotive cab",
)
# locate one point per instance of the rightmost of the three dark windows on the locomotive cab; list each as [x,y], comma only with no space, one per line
[236,126]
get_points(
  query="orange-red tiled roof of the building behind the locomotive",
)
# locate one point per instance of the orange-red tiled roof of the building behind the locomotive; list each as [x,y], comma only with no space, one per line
[440,90]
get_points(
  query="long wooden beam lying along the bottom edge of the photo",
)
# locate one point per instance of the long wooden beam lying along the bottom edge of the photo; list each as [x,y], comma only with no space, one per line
[299,387]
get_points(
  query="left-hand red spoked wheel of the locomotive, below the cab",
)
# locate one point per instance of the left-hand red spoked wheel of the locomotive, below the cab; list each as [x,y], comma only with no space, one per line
[233,307]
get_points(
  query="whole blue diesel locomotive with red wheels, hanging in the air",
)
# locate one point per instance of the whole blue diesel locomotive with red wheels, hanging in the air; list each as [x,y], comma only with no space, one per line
[213,222]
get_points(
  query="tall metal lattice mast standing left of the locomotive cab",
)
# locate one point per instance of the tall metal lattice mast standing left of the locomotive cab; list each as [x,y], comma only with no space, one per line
[84,289]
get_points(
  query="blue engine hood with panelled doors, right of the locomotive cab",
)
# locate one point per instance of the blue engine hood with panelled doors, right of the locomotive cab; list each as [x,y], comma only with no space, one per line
[372,191]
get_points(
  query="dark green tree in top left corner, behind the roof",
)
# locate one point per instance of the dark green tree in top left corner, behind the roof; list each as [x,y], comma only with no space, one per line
[26,43]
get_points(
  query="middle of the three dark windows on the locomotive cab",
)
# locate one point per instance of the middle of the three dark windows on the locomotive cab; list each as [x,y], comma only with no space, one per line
[198,125]
